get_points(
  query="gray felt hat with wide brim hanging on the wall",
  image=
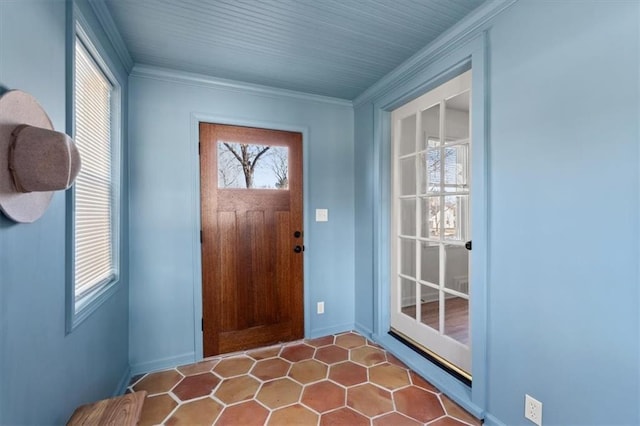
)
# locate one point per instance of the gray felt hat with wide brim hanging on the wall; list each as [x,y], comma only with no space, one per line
[35,160]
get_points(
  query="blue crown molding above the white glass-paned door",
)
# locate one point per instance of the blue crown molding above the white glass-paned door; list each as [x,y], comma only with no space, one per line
[465,30]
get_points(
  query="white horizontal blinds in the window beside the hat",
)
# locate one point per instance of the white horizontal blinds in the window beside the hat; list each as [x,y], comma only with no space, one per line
[94,192]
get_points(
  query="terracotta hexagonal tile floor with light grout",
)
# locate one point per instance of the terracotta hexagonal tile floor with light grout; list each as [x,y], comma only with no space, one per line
[334,380]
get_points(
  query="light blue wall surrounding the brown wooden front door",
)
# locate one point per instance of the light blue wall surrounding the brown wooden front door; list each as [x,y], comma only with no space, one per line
[165,255]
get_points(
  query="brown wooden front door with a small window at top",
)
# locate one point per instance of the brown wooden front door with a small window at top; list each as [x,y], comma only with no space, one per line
[252,260]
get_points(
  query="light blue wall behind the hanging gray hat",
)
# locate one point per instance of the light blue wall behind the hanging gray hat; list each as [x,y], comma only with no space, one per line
[44,374]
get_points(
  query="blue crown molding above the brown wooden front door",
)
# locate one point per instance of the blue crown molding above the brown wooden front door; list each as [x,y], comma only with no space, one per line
[202,80]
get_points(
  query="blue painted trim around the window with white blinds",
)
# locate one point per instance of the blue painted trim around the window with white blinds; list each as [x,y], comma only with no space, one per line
[79,310]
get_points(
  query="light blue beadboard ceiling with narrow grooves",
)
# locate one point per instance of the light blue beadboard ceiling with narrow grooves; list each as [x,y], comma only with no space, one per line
[325,47]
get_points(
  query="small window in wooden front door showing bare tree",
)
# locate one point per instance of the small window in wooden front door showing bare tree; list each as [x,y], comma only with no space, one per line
[252,166]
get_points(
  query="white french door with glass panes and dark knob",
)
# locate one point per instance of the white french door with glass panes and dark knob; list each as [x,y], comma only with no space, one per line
[431,222]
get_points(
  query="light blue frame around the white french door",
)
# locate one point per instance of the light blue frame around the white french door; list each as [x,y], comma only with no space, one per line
[472,54]
